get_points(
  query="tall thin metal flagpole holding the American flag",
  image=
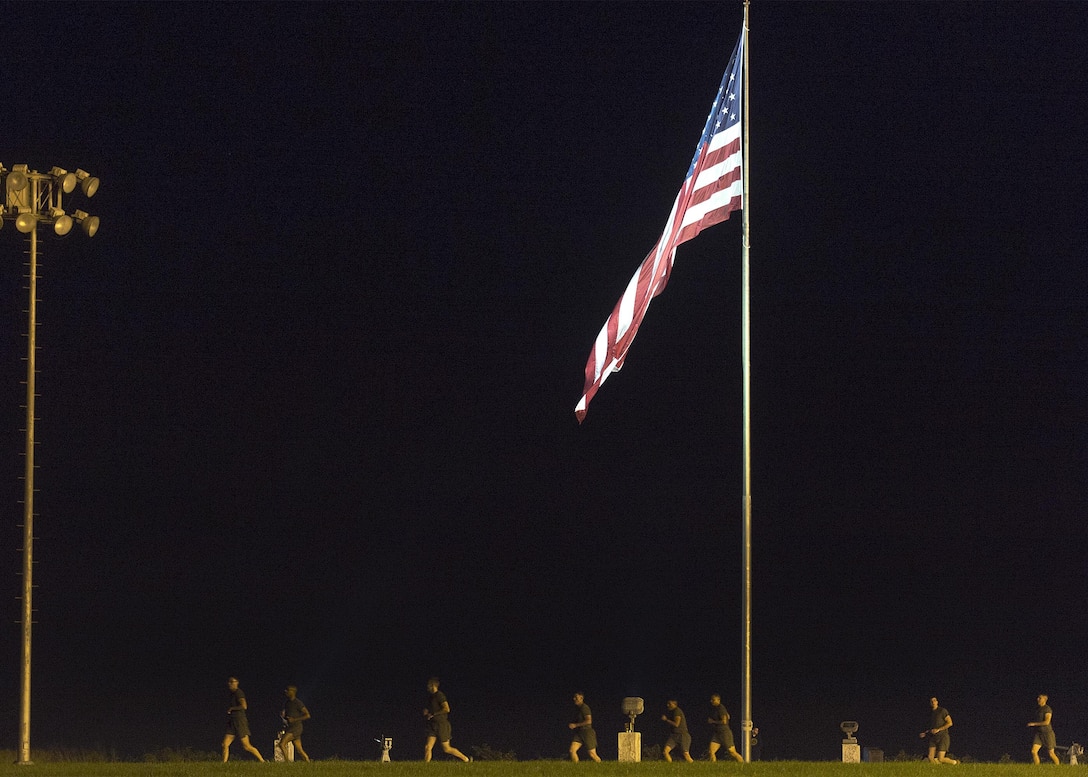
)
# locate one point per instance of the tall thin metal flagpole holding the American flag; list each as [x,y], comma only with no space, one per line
[747,359]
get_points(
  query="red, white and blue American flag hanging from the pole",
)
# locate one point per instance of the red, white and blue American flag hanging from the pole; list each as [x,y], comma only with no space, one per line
[711,192]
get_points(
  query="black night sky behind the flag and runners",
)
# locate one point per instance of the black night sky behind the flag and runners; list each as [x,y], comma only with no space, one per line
[307,400]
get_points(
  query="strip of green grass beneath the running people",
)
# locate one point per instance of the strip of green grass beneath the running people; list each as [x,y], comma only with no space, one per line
[522,769]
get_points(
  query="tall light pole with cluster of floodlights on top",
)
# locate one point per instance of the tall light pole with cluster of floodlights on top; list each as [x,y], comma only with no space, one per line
[34,199]
